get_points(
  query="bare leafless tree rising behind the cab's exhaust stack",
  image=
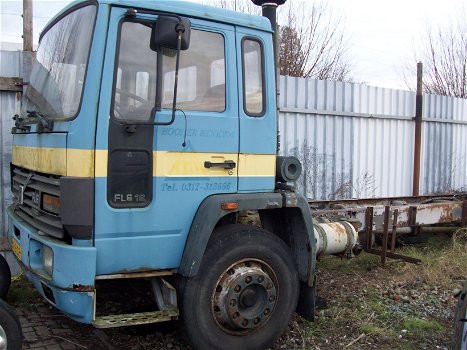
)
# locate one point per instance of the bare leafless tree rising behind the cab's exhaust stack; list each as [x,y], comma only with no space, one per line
[313,39]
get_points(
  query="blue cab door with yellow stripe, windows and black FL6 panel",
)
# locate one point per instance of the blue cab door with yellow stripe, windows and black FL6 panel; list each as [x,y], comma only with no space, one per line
[154,177]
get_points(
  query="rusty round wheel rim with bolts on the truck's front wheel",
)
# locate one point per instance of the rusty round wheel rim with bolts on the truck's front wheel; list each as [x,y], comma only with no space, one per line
[245,296]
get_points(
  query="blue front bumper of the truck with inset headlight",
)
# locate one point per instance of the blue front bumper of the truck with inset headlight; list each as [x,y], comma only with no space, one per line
[70,287]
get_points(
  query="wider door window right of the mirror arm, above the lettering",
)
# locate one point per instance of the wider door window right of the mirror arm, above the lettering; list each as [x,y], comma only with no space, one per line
[201,77]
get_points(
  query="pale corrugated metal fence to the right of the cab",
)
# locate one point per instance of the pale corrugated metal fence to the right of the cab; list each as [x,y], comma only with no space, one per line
[357,141]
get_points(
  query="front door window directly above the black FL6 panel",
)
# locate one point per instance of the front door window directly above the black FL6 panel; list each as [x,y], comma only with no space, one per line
[135,77]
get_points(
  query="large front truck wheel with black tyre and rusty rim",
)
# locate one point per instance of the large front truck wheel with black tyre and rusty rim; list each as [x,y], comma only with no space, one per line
[244,293]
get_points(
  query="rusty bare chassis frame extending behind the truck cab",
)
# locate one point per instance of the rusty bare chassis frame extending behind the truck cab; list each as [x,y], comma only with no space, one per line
[395,215]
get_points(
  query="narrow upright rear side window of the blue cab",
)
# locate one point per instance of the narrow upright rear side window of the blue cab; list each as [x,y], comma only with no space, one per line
[253,79]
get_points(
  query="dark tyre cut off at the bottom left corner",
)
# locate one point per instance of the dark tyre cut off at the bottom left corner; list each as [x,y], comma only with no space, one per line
[10,328]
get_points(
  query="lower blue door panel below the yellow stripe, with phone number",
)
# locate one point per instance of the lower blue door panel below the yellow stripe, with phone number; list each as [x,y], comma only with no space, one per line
[152,237]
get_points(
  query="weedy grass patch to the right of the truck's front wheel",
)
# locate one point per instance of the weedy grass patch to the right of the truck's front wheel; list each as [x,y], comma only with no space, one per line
[368,309]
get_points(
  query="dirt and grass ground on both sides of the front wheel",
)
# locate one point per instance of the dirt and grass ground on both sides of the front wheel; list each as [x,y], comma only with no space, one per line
[361,306]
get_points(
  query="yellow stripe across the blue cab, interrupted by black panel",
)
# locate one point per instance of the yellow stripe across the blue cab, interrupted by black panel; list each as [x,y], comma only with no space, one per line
[78,162]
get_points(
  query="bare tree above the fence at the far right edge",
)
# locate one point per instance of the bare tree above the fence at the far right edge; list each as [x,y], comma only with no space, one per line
[444,57]
